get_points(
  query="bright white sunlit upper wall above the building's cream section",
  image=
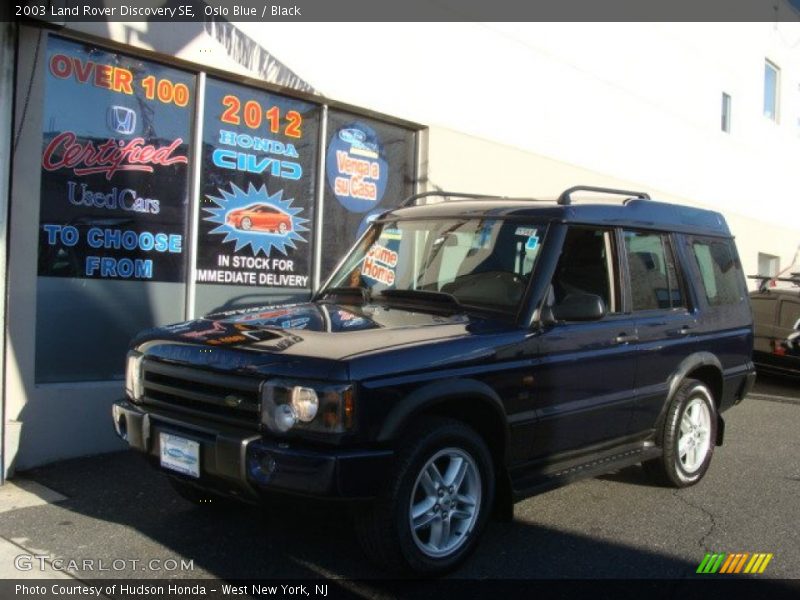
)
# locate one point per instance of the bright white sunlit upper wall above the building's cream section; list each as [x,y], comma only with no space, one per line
[634,101]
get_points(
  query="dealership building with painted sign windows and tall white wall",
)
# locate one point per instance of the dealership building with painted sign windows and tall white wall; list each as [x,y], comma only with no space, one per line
[154,172]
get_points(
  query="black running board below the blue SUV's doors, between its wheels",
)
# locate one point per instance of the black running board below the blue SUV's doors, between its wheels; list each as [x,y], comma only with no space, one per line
[565,472]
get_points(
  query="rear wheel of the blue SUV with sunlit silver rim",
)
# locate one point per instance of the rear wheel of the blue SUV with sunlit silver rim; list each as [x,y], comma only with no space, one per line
[688,437]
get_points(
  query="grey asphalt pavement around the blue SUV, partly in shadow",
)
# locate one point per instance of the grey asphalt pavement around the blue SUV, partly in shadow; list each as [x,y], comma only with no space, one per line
[614,526]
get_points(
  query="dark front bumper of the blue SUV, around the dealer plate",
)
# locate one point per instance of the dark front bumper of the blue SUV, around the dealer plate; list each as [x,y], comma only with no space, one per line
[244,464]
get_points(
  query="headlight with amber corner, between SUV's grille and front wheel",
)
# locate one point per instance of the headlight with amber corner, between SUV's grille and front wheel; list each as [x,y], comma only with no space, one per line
[310,407]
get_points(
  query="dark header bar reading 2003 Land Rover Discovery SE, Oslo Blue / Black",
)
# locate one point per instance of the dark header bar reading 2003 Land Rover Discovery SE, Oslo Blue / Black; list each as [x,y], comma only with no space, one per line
[61,12]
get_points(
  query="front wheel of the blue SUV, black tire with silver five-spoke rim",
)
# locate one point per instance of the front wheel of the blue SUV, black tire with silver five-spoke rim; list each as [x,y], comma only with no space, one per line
[443,469]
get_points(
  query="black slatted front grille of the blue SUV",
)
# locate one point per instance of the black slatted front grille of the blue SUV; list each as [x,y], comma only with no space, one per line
[227,398]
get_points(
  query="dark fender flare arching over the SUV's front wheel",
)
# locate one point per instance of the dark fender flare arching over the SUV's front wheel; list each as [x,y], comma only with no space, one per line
[434,393]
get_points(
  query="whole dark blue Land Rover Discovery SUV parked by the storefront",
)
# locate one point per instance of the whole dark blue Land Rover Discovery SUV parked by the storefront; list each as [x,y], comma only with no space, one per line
[465,354]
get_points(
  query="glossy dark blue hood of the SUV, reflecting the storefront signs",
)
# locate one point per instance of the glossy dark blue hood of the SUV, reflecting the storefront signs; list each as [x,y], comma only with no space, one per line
[310,339]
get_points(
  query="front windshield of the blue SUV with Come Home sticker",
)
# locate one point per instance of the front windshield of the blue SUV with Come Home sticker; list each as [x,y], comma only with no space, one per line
[480,263]
